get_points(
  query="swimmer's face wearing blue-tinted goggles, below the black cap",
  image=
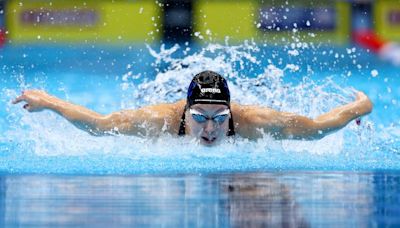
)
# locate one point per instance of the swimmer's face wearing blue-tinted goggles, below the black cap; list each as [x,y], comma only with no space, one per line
[208,122]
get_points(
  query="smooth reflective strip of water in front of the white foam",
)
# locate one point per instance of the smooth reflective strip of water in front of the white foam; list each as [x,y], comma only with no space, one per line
[289,199]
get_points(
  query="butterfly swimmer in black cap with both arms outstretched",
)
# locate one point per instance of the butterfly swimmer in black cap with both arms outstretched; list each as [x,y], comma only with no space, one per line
[207,115]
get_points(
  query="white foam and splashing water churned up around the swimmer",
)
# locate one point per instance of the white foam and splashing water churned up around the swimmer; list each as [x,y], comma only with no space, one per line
[46,143]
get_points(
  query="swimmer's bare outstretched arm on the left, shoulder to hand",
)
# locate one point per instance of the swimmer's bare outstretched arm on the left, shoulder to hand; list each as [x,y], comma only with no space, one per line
[147,121]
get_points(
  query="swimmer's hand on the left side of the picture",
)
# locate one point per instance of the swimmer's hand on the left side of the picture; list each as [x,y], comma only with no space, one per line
[36,100]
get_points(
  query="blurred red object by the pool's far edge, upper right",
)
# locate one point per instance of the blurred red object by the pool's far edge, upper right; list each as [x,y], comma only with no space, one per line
[368,39]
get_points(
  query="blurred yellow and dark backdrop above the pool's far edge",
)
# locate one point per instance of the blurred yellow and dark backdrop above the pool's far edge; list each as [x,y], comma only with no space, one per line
[121,21]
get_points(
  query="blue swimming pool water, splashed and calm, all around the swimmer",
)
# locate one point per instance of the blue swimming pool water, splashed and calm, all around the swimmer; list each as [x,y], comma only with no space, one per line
[350,178]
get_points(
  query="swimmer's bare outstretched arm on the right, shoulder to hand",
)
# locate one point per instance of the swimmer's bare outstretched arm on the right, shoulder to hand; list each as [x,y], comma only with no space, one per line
[283,125]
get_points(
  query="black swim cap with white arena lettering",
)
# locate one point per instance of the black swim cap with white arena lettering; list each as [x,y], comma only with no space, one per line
[208,87]
